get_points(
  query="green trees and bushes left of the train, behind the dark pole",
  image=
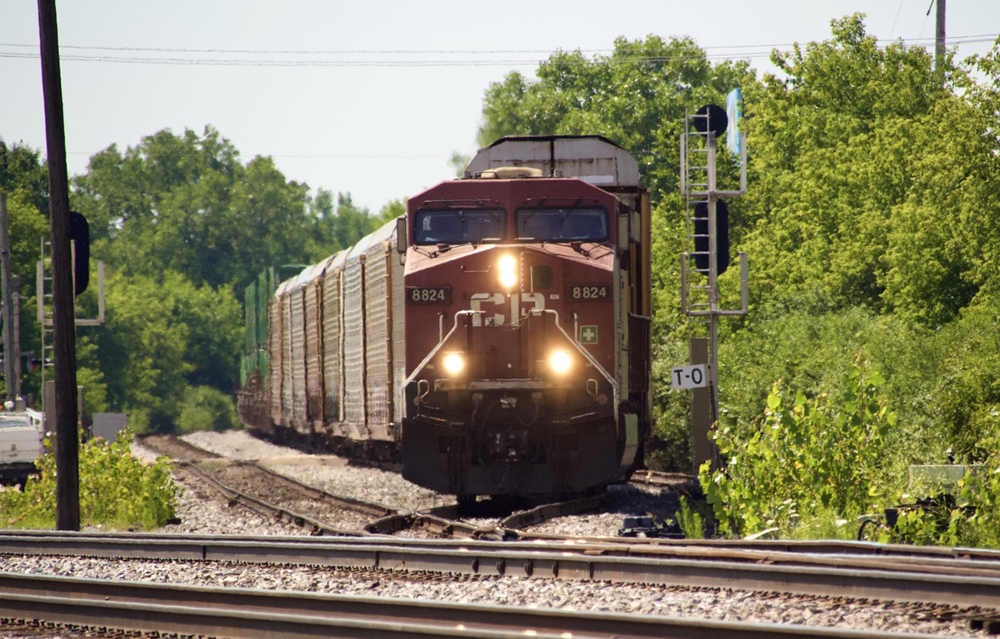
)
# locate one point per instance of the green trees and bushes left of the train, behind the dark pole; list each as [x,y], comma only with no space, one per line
[181,223]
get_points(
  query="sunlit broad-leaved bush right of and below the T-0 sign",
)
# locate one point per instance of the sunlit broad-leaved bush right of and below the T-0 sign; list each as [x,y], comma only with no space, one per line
[813,459]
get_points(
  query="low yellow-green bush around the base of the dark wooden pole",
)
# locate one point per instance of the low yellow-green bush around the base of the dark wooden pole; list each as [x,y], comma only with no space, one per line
[116,490]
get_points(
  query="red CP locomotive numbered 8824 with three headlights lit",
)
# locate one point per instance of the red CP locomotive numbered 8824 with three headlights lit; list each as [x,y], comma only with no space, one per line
[527,321]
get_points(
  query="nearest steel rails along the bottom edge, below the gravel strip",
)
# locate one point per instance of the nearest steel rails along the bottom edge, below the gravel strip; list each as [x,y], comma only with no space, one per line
[261,613]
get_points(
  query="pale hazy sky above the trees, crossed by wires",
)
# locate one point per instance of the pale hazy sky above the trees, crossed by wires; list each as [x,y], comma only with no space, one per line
[369,97]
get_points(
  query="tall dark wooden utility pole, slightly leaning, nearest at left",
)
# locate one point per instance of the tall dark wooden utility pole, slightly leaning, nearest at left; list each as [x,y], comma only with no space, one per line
[64,336]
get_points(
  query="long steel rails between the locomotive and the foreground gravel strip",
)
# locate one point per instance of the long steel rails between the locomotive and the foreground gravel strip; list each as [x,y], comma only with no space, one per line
[527,560]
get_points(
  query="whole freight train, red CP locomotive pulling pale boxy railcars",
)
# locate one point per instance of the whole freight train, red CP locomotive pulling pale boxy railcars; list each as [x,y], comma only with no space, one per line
[495,339]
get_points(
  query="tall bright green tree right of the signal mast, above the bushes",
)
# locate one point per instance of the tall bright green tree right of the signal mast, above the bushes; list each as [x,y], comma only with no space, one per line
[867,172]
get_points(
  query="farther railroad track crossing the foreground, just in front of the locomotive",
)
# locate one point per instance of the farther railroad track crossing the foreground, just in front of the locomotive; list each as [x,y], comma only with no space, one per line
[958,582]
